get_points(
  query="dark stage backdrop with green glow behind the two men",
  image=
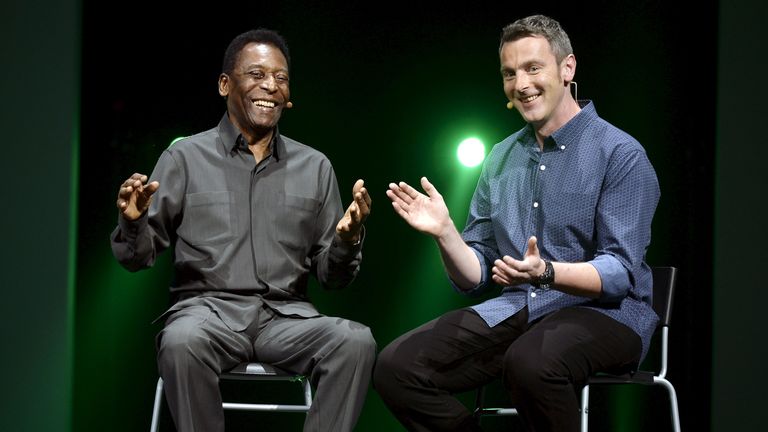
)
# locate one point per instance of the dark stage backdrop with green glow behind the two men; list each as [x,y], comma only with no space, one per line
[95,91]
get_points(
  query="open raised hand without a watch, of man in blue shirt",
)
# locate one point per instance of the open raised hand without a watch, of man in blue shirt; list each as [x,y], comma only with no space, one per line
[426,213]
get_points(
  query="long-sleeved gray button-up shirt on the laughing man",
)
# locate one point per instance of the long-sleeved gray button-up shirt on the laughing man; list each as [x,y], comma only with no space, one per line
[240,227]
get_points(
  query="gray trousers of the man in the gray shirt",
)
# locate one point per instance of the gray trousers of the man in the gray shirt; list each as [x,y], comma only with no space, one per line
[205,336]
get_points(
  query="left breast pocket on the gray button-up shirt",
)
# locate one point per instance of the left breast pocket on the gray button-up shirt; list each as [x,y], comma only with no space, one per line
[208,218]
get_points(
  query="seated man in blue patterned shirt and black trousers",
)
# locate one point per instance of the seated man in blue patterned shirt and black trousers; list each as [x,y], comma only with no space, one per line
[560,220]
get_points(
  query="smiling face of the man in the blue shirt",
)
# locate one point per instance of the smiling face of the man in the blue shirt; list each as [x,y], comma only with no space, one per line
[537,84]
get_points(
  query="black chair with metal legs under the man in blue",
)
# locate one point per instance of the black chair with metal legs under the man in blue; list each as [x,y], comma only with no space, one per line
[664,279]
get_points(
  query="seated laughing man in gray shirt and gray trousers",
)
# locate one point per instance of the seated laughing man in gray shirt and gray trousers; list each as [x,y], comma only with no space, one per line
[250,214]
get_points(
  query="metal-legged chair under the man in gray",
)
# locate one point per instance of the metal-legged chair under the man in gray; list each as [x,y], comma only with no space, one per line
[251,372]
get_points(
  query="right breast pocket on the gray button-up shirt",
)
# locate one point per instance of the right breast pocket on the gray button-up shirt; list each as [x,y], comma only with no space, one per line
[295,222]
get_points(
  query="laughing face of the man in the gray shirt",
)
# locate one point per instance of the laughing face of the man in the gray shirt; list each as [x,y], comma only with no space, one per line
[257,89]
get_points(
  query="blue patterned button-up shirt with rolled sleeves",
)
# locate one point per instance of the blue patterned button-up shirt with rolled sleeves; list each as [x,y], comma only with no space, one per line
[589,196]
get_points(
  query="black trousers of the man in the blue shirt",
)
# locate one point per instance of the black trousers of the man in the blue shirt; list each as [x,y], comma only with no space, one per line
[543,365]
